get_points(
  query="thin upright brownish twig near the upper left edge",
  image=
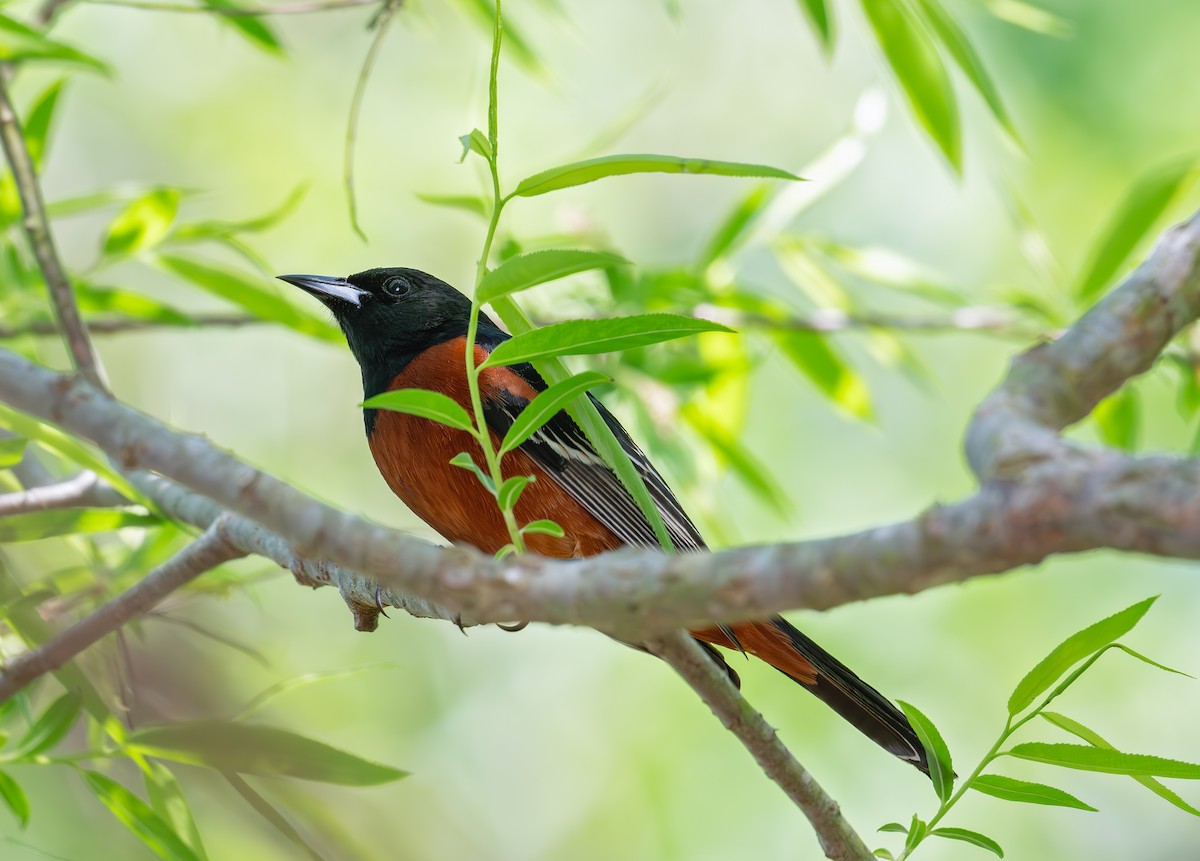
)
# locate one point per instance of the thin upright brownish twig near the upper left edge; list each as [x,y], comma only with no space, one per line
[38,228]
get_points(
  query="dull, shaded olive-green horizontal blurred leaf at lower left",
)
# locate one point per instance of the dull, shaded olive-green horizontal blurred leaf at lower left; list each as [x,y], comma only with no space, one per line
[251,750]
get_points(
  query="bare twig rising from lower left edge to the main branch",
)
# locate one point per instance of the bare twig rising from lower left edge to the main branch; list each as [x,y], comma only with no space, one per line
[206,553]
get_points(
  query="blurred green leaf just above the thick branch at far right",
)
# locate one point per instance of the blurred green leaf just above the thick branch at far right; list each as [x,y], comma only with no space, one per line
[1142,208]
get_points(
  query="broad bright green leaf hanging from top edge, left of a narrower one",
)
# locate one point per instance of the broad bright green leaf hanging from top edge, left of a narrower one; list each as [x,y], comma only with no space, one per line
[917,65]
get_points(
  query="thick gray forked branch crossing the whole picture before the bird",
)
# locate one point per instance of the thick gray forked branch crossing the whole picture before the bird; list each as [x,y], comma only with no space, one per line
[1041,495]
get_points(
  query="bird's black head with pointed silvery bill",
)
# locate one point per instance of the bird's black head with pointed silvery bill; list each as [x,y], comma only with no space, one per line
[391,316]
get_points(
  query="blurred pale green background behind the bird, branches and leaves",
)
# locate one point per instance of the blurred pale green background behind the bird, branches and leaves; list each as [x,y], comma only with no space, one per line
[556,743]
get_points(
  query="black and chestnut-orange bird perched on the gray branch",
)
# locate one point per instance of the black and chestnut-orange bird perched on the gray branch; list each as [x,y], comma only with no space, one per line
[409,330]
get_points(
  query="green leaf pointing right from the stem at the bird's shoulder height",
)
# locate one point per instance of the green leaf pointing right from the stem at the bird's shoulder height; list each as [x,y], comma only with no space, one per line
[589,338]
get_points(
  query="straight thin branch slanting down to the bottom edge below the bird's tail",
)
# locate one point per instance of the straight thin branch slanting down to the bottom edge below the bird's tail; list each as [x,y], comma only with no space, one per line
[838,840]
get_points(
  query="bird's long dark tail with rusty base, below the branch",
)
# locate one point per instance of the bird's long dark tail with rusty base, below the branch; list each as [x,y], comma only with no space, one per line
[783,647]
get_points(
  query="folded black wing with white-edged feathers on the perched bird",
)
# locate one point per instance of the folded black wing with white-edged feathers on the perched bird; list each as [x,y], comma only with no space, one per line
[563,450]
